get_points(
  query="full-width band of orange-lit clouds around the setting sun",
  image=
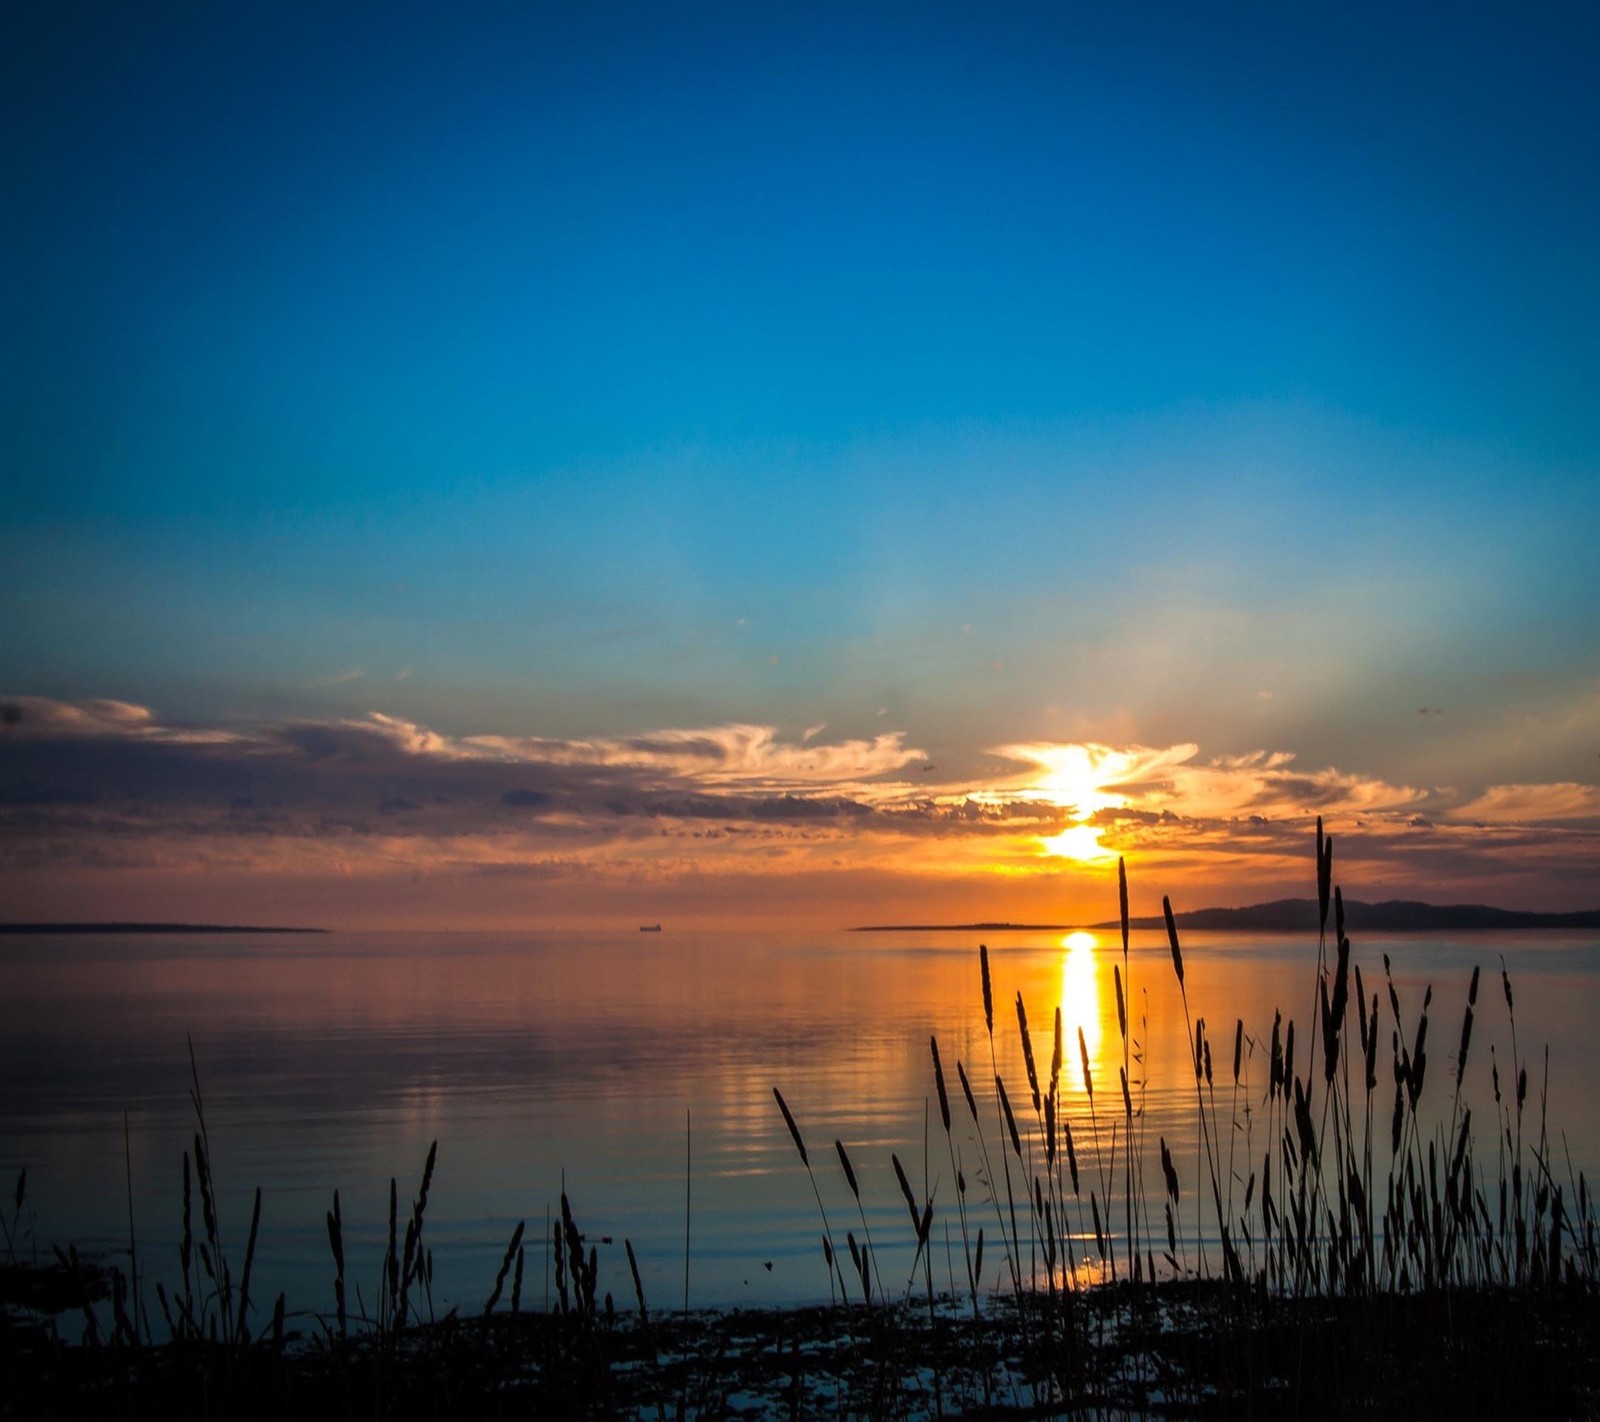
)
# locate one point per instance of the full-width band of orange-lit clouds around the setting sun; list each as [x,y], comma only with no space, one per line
[108,794]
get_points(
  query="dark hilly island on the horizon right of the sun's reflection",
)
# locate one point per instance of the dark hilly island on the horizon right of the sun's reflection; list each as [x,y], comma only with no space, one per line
[1298,916]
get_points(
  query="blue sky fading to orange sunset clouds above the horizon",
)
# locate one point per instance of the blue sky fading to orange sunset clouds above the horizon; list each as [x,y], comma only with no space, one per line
[518,466]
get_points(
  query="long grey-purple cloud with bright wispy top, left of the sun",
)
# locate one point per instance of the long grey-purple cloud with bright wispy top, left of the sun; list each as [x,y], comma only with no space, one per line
[140,772]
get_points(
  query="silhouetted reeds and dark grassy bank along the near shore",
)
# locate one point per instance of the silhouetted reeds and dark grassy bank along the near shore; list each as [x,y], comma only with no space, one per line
[1358,1237]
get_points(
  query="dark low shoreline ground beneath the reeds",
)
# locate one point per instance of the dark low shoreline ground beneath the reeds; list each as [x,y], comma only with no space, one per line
[1178,1349]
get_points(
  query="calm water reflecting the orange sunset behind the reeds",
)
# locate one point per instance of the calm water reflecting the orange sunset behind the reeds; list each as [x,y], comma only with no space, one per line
[332,1063]
